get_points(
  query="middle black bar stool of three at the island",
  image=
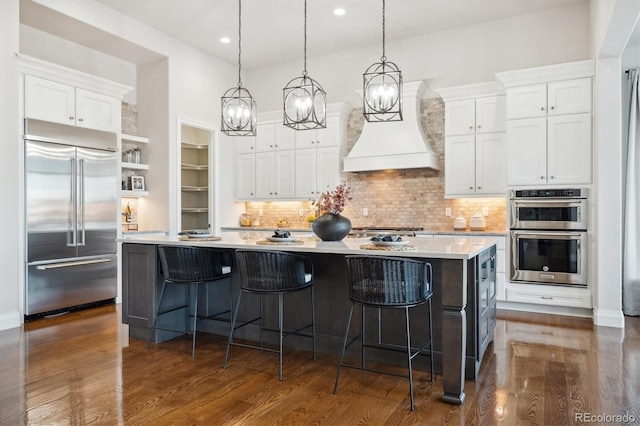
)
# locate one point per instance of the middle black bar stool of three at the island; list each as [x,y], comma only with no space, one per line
[273,273]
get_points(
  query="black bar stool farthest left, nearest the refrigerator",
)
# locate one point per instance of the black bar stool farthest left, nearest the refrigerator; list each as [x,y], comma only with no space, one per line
[192,266]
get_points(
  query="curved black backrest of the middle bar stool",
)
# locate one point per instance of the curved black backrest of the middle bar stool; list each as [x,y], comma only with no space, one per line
[271,271]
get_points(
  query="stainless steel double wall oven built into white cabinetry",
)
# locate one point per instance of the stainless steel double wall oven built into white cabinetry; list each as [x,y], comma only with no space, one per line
[548,236]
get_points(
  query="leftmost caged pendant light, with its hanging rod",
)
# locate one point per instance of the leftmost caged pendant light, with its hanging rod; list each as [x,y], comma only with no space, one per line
[239,111]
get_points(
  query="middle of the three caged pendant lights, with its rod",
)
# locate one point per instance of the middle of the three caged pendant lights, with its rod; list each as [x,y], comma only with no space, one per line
[304,99]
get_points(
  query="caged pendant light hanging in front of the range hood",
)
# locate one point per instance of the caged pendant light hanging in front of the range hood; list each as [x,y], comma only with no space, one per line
[382,87]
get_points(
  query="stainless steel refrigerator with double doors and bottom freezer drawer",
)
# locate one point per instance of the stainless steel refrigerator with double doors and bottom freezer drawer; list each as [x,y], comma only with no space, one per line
[71,224]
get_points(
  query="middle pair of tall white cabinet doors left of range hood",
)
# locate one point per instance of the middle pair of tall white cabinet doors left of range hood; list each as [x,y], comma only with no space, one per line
[274,174]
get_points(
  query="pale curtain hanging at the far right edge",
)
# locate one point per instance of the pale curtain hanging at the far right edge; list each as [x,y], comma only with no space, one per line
[631,249]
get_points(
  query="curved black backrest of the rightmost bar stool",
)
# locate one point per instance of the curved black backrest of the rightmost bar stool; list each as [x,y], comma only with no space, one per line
[388,281]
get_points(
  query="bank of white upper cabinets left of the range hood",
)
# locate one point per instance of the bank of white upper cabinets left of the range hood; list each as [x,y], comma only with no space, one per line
[281,163]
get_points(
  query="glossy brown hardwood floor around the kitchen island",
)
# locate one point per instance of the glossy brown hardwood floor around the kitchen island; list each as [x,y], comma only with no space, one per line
[82,368]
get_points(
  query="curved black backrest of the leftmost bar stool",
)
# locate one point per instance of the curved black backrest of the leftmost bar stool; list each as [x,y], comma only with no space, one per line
[192,264]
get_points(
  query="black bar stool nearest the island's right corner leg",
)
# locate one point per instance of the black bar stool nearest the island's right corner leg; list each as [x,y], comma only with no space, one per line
[388,282]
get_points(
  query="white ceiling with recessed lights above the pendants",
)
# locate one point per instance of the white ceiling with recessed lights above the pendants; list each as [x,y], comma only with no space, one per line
[272,30]
